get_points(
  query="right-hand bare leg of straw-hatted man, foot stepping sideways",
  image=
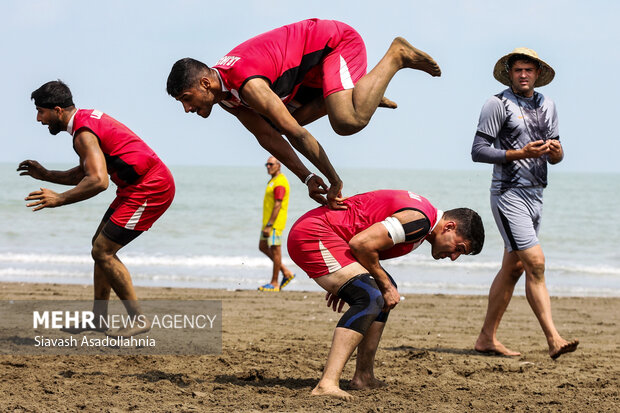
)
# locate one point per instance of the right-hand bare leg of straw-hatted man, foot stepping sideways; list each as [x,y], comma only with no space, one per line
[538,297]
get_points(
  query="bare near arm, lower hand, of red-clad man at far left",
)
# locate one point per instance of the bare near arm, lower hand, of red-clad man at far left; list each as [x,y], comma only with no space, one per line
[93,181]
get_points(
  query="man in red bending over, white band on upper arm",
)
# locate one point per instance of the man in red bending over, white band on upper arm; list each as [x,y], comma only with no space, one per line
[341,251]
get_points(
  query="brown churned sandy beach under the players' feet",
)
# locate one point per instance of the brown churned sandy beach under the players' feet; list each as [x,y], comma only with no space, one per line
[275,344]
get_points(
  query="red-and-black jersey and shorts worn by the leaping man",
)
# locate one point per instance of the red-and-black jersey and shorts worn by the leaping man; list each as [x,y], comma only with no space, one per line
[294,54]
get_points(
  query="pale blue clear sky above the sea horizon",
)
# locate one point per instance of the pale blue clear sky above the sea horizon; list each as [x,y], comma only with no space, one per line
[116,55]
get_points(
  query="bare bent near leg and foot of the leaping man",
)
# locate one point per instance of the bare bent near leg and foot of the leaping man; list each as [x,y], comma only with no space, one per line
[350,110]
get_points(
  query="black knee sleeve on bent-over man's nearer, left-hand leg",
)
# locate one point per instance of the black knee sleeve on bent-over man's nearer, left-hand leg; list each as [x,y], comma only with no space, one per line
[365,303]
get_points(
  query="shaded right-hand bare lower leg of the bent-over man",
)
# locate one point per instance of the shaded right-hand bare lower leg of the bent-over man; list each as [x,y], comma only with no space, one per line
[364,376]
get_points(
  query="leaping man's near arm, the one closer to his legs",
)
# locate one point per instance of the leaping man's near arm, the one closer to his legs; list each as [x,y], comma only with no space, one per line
[261,98]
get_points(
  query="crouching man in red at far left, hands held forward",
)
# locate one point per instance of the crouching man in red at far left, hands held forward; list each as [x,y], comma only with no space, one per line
[145,189]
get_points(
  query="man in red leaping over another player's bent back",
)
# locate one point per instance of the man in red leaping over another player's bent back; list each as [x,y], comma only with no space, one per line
[279,81]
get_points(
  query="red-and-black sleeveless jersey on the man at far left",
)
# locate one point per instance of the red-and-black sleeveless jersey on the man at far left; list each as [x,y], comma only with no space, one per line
[127,157]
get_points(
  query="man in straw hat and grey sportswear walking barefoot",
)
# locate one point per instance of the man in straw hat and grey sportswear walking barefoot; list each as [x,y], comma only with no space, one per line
[518,133]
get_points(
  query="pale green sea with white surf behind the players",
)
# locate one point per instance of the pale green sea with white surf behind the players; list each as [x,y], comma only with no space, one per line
[209,236]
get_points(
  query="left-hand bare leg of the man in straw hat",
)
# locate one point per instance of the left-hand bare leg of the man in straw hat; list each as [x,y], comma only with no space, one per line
[499,297]
